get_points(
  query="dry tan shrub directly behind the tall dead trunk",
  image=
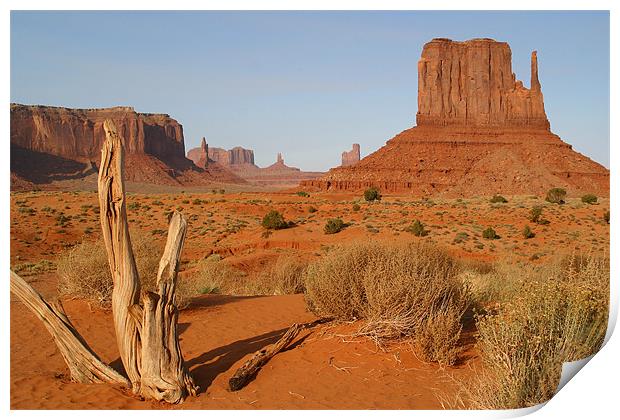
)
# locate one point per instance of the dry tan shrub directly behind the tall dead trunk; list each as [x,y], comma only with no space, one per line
[84,272]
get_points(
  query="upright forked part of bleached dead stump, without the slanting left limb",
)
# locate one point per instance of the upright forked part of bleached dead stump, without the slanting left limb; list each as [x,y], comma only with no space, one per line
[147,335]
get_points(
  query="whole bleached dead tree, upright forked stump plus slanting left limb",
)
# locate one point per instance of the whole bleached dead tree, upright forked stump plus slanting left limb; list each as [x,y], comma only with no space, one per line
[146,335]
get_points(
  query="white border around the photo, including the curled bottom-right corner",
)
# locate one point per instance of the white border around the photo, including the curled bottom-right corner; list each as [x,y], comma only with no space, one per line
[592,394]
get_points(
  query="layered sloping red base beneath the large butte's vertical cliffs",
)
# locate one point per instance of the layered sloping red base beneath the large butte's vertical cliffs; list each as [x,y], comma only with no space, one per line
[470,162]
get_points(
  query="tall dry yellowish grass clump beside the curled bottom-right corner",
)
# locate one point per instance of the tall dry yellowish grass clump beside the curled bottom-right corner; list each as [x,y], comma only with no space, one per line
[558,314]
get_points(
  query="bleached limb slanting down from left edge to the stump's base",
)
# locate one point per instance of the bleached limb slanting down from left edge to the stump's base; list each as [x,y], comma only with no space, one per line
[84,365]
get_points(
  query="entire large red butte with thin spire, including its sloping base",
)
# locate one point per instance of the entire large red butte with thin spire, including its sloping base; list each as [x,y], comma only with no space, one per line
[479,131]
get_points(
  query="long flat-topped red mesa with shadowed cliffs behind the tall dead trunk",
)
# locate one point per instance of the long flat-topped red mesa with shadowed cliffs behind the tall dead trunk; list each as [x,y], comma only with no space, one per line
[53,143]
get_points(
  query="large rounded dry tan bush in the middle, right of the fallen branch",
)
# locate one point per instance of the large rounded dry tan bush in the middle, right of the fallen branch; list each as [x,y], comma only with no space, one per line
[401,291]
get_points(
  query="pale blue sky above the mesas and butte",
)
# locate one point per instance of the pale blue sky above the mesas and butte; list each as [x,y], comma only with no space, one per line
[307,84]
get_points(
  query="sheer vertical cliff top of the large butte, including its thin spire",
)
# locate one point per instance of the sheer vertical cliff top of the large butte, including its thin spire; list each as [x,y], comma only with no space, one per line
[471,83]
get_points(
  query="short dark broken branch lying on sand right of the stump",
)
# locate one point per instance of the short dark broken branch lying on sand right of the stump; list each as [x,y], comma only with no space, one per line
[246,372]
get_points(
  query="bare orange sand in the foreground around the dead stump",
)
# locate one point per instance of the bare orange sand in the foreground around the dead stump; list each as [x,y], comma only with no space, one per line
[323,369]
